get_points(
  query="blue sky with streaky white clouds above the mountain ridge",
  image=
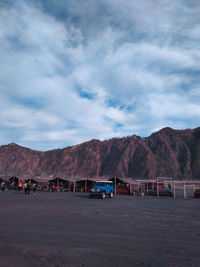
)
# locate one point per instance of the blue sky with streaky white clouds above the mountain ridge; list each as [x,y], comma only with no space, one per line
[74,70]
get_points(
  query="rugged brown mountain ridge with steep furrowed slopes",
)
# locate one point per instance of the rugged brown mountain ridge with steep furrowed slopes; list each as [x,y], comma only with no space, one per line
[168,152]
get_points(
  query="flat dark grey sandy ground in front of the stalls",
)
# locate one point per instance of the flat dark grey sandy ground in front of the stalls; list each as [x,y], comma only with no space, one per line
[69,229]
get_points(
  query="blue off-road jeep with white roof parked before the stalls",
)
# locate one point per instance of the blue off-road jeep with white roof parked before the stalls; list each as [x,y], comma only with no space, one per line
[102,189]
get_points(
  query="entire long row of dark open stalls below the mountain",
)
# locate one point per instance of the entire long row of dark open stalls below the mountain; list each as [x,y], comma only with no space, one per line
[124,186]
